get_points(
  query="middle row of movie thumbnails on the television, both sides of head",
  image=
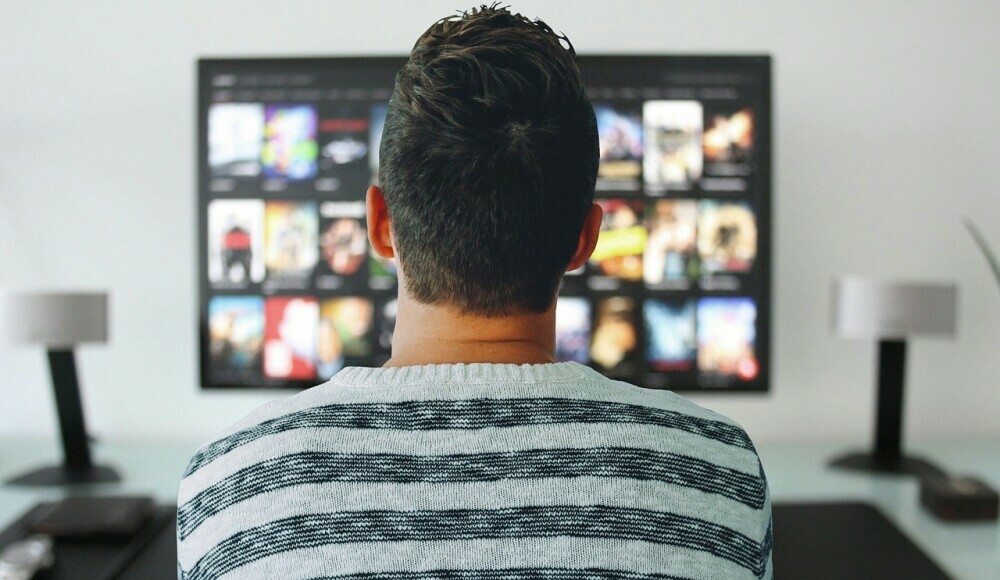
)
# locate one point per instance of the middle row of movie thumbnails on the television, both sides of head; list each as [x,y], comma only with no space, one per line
[666,244]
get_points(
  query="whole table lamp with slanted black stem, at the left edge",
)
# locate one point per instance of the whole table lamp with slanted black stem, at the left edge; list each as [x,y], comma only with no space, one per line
[60,321]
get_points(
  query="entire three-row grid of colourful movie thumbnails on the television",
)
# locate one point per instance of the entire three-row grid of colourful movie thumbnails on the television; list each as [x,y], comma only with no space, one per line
[270,235]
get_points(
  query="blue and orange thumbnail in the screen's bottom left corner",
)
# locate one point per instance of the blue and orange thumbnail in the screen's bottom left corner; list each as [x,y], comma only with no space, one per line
[235,333]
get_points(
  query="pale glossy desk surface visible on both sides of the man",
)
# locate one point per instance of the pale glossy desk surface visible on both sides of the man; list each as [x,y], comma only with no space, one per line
[796,472]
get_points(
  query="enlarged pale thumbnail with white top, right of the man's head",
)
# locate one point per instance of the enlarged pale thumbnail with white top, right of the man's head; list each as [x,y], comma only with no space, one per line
[672,135]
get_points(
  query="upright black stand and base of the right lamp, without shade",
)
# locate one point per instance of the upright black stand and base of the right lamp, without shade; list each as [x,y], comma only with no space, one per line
[887,457]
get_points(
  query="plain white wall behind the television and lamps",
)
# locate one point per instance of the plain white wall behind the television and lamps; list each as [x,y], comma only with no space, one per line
[886,130]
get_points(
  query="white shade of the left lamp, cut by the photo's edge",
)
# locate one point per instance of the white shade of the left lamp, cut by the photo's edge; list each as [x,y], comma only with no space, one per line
[54,319]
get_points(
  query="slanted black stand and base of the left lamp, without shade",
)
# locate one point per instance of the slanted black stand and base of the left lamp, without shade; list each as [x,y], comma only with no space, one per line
[77,467]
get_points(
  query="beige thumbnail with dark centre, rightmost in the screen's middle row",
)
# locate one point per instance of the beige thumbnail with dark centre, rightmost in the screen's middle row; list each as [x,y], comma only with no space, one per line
[727,236]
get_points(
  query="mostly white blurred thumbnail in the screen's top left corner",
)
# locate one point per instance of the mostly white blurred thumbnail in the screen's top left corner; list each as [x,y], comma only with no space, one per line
[235,138]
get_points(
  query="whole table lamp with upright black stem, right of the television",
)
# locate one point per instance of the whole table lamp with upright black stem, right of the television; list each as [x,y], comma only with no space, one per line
[891,312]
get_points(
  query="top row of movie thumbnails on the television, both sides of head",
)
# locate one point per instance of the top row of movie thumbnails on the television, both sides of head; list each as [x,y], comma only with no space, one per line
[655,147]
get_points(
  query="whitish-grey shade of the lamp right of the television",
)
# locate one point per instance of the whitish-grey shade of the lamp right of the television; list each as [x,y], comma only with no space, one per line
[867,308]
